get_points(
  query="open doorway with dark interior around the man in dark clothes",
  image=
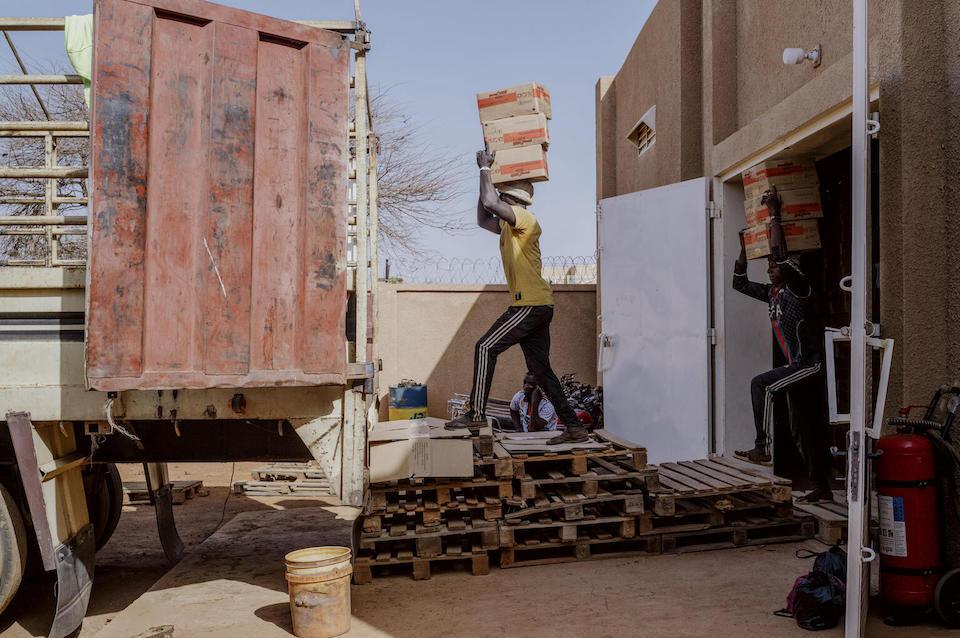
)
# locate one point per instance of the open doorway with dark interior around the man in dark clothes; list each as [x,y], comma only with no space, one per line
[745,345]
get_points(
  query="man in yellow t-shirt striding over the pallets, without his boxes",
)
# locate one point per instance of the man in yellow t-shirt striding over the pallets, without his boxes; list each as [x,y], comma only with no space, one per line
[527,320]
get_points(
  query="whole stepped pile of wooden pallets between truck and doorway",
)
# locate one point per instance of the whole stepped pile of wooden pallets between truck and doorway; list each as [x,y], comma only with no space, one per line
[536,504]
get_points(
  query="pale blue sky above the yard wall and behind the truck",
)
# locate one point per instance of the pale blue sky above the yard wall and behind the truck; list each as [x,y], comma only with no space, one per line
[435,56]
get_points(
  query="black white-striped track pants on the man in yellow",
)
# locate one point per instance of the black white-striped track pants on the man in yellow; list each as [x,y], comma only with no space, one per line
[528,326]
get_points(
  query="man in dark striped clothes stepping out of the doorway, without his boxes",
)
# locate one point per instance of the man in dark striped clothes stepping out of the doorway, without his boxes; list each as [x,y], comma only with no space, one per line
[800,342]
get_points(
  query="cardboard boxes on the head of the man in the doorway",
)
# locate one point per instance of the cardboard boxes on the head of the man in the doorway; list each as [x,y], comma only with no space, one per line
[797,186]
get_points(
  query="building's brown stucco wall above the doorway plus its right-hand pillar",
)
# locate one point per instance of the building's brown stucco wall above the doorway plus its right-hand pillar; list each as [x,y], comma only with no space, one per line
[748,101]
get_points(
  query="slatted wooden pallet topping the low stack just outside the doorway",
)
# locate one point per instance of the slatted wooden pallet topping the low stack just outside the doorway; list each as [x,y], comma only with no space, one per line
[714,477]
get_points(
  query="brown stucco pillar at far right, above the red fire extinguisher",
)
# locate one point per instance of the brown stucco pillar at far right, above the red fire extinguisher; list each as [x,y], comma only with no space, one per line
[919,162]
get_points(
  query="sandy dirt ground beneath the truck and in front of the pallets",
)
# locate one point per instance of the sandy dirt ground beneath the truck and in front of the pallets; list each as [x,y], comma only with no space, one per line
[232,584]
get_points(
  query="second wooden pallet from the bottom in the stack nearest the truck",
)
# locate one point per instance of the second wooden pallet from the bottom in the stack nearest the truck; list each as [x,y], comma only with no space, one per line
[428,542]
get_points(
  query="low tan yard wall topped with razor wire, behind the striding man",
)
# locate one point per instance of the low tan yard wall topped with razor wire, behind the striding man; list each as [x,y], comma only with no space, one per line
[427,333]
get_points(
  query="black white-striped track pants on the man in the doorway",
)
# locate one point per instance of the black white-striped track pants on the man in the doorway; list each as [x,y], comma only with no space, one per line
[803,388]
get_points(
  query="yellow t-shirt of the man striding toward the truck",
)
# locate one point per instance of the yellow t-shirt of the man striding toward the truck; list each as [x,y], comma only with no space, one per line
[520,251]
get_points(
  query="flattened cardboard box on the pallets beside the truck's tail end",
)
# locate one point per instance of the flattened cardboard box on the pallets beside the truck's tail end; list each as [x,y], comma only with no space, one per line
[419,448]
